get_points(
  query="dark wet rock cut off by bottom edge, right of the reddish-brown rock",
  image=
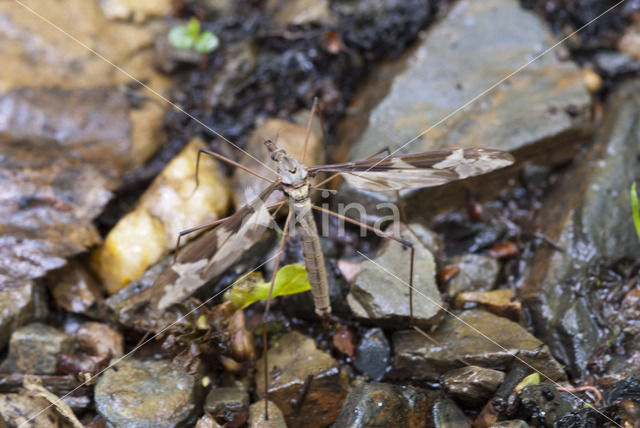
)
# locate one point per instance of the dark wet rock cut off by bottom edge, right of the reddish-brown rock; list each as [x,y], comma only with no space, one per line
[385,405]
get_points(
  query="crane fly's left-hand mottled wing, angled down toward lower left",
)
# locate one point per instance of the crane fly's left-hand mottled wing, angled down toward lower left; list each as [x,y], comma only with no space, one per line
[213,253]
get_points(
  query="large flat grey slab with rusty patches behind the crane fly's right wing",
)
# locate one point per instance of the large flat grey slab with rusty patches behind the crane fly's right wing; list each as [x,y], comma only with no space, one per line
[542,111]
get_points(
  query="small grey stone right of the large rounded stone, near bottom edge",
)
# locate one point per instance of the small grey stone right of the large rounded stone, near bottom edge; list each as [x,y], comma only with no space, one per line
[228,404]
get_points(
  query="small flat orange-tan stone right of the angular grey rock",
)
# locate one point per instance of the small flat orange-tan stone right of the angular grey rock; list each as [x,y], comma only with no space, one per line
[500,302]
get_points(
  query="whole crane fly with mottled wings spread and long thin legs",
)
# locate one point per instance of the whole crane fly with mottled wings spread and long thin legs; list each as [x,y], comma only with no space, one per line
[217,250]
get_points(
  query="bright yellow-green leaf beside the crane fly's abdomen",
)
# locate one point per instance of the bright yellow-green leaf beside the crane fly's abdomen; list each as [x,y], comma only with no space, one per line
[291,279]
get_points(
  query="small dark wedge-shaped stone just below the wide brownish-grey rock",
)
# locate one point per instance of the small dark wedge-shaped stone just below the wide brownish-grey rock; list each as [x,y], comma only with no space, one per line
[472,385]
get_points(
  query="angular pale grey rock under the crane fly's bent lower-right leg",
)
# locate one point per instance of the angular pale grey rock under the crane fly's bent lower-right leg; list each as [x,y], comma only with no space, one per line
[380,292]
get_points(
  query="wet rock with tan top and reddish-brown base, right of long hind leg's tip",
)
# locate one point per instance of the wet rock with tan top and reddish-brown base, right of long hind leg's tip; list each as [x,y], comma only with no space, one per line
[304,382]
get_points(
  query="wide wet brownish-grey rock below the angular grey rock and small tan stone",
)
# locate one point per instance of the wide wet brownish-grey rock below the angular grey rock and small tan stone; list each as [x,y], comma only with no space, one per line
[479,338]
